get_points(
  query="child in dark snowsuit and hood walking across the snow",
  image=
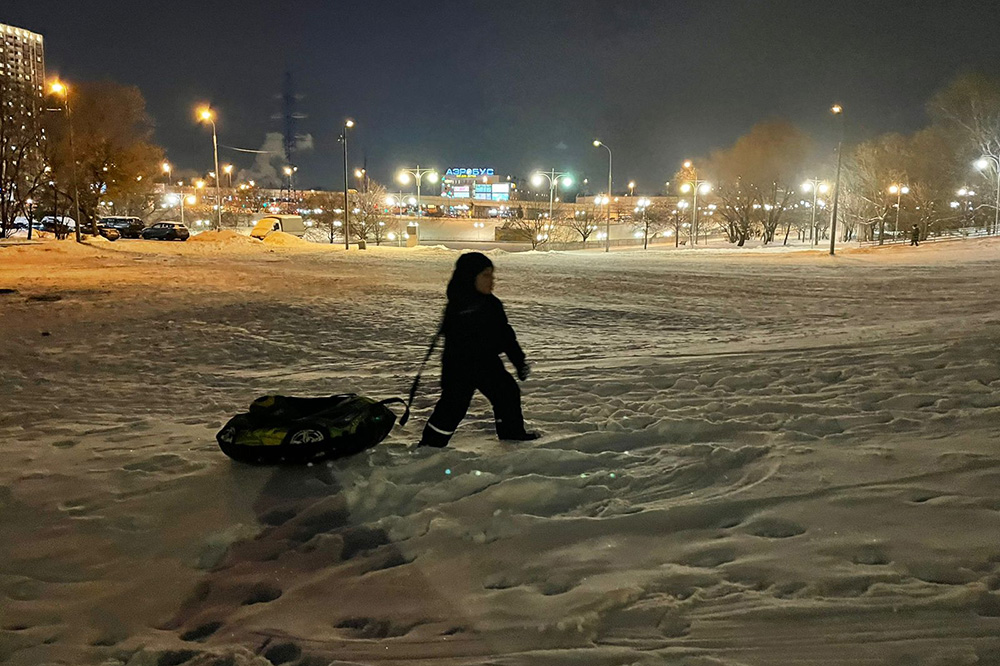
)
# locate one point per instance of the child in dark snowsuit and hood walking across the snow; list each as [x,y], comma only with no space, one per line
[476,332]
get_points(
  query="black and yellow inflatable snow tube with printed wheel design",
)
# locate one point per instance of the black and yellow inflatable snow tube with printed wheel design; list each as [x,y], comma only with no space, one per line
[280,430]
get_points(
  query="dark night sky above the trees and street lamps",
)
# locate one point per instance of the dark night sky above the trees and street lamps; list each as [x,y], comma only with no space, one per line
[515,85]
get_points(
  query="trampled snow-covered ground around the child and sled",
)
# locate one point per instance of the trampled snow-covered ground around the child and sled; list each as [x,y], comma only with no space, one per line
[757,458]
